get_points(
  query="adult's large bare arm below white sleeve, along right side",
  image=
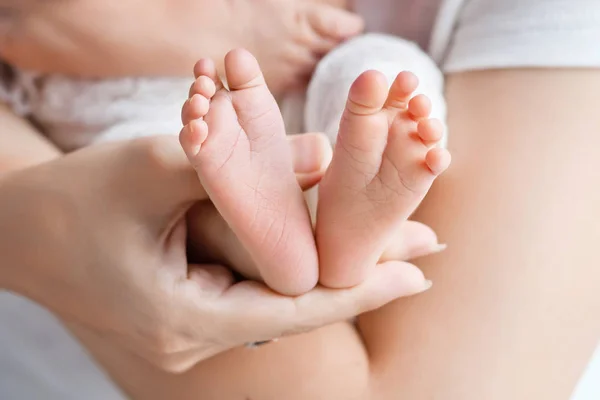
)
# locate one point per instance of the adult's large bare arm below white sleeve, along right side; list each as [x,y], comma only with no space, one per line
[513,312]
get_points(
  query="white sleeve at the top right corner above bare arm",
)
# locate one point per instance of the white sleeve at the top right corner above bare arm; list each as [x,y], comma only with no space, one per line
[487,34]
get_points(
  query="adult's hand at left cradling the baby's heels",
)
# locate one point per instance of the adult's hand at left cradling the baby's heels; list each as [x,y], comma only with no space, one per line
[99,237]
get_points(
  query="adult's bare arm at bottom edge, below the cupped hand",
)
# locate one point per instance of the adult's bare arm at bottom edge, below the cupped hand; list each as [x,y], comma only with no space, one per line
[329,363]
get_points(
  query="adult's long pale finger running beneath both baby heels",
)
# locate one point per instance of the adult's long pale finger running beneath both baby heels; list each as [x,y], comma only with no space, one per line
[254,312]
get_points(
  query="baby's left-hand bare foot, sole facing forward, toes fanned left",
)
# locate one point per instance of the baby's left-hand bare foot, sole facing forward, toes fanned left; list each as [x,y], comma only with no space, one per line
[235,139]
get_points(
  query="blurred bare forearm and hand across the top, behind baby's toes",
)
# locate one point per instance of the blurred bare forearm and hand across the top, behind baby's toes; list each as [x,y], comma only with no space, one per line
[287,36]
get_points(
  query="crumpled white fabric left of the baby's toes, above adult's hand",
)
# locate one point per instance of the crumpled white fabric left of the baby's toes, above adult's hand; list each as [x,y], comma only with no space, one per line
[74,113]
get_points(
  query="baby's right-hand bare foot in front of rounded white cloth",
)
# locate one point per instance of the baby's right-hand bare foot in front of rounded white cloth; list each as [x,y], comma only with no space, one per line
[384,163]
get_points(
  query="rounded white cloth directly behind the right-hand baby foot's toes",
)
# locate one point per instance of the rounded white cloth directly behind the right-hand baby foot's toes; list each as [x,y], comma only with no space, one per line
[329,86]
